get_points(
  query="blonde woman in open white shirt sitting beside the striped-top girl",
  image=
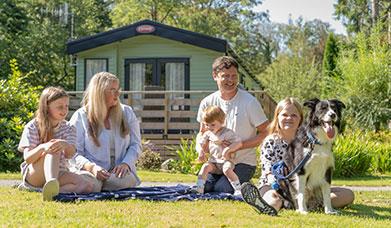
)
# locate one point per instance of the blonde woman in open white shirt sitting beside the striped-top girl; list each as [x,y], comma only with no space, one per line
[108,135]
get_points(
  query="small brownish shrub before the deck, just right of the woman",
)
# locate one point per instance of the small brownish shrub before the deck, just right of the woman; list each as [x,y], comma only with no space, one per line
[149,159]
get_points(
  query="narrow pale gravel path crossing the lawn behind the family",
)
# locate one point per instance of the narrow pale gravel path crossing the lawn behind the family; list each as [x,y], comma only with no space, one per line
[5,183]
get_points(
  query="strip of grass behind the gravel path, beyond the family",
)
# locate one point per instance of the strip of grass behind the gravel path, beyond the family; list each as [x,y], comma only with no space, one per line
[150,176]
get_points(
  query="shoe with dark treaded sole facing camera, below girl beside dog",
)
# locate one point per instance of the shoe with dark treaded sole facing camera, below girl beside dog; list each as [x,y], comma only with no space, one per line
[251,195]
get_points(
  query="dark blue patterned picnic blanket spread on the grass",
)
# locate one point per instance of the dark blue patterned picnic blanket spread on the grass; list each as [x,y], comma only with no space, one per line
[158,193]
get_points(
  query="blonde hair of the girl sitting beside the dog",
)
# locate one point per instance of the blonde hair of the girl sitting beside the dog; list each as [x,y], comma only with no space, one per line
[273,126]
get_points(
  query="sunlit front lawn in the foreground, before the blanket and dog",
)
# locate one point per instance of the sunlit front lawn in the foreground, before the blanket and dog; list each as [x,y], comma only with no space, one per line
[371,209]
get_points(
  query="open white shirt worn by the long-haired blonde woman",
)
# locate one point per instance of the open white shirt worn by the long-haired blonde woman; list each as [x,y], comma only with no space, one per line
[127,149]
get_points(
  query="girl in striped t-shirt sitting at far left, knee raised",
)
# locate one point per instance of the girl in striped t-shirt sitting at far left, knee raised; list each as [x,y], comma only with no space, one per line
[47,142]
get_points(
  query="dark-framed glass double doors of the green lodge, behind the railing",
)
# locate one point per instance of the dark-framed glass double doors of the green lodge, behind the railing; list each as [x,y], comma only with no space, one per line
[157,74]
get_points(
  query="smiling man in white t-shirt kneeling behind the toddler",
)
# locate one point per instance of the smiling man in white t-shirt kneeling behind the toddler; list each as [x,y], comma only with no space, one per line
[244,115]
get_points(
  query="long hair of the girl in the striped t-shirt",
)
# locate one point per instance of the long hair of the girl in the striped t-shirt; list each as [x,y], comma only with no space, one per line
[45,128]
